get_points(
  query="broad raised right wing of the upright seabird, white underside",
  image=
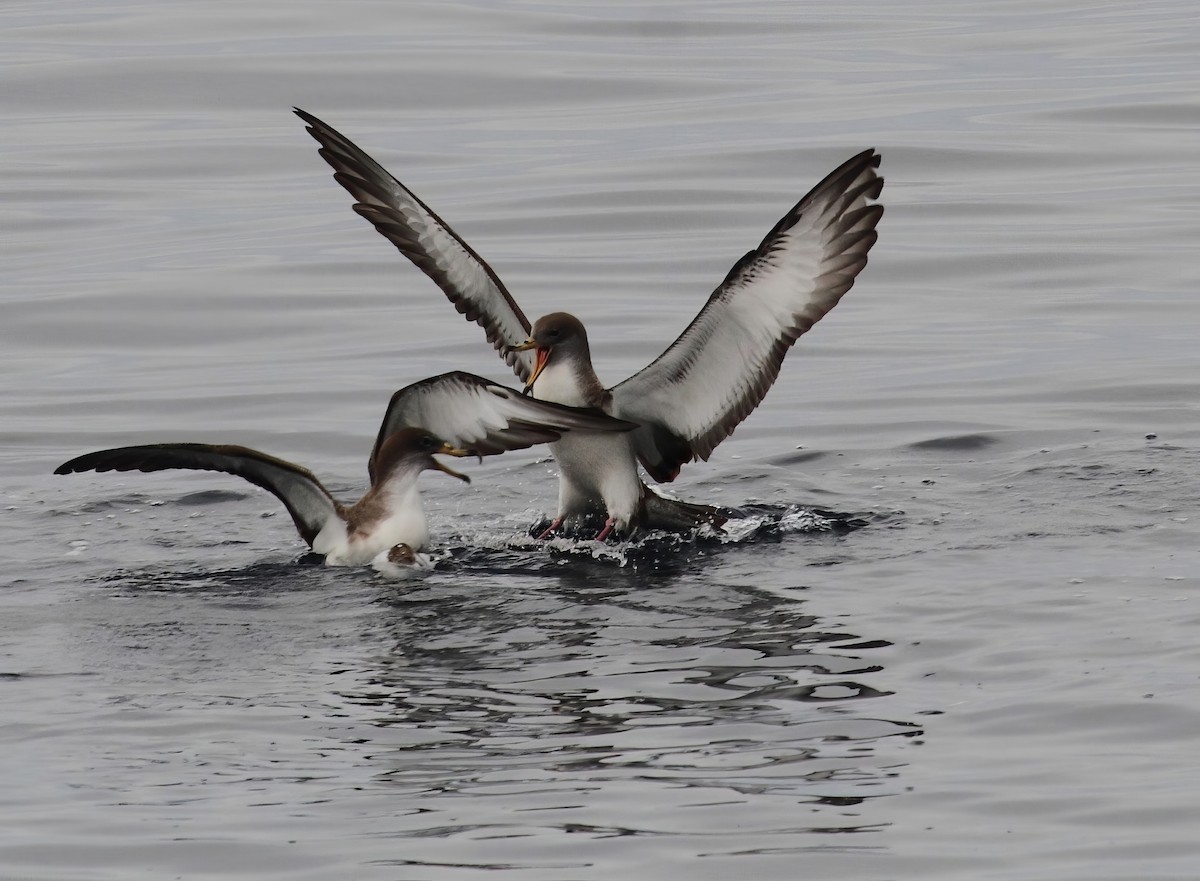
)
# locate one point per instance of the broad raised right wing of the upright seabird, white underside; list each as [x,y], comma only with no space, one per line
[698,392]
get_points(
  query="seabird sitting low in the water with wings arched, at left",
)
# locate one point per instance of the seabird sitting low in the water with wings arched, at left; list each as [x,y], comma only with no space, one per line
[470,416]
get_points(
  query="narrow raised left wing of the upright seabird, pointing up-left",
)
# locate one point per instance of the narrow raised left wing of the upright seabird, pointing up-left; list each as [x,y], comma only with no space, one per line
[427,241]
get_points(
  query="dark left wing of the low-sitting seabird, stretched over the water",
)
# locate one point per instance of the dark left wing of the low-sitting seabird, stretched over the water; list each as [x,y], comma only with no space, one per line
[309,504]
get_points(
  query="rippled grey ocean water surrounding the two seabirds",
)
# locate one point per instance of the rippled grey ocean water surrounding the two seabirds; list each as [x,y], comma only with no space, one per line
[997,679]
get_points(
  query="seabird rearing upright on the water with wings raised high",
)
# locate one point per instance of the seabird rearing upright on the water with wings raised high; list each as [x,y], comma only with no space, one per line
[692,397]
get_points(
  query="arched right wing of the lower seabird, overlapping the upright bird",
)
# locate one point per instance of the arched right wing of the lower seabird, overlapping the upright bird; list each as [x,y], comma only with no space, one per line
[483,417]
